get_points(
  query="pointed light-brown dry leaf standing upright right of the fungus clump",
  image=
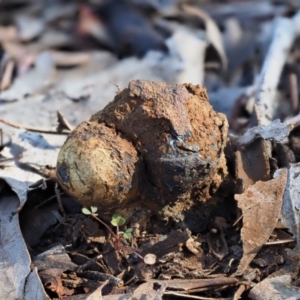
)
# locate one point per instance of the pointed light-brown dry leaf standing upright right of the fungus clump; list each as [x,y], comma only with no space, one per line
[261,205]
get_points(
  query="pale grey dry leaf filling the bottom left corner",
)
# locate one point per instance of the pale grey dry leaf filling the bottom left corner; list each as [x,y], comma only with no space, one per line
[16,277]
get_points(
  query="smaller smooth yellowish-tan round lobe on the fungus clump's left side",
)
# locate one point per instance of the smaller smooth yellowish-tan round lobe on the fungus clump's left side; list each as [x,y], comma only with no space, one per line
[98,167]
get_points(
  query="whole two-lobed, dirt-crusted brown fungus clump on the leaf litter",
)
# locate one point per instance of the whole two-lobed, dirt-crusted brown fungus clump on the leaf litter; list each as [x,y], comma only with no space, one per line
[155,143]
